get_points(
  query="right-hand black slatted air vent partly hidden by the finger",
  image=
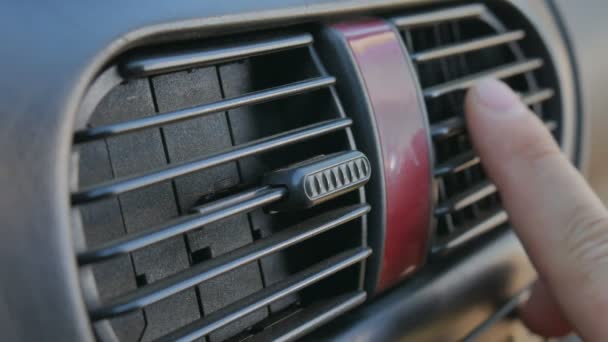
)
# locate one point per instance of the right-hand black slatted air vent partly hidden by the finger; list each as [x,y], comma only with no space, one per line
[451,49]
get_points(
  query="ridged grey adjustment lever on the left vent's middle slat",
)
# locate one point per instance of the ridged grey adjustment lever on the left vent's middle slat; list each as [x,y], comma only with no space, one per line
[319,179]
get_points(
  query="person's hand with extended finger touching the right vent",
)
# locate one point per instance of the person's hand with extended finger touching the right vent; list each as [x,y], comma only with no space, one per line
[560,221]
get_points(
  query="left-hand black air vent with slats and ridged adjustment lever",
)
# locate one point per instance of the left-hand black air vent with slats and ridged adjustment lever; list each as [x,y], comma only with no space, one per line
[179,236]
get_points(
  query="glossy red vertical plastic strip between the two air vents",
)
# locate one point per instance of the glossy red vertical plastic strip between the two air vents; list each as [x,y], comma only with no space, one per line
[400,120]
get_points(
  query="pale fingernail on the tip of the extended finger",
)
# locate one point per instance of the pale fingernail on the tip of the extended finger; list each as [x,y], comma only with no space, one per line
[497,96]
